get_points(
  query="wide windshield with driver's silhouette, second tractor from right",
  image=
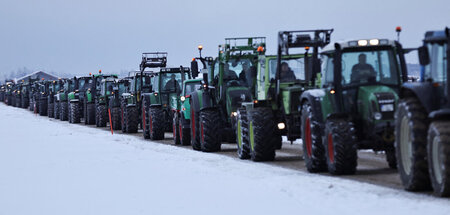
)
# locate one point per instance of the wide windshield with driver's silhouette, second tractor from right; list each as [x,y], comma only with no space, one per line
[366,67]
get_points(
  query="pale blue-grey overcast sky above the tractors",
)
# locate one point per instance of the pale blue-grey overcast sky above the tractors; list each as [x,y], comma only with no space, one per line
[82,36]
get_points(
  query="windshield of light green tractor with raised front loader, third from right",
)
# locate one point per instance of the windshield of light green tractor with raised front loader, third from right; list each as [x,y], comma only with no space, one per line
[291,69]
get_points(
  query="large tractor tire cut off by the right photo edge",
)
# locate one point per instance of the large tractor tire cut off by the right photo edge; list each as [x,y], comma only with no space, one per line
[439,157]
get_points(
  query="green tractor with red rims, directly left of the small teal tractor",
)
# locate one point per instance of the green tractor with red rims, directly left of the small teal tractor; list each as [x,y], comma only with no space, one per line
[161,105]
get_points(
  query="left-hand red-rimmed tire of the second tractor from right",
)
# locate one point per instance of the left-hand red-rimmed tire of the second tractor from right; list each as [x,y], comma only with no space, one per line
[313,148]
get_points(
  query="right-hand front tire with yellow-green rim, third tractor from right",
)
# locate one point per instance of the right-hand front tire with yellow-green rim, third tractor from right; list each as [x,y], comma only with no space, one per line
[263,134]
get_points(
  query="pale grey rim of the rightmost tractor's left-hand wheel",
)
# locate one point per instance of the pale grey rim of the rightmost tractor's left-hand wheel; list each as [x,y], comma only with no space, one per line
[405,145]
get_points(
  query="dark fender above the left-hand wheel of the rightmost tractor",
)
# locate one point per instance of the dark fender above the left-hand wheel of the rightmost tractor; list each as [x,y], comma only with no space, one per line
[423,91]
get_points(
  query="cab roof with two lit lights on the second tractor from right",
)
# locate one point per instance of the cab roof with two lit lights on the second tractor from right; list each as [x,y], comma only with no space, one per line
[359,44]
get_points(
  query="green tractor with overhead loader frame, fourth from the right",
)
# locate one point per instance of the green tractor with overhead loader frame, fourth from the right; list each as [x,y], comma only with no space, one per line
[227,83]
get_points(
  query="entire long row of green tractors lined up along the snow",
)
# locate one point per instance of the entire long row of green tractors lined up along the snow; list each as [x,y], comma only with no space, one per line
[337,98]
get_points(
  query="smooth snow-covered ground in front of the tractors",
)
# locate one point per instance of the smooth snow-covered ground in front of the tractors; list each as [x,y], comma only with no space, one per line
[52,167]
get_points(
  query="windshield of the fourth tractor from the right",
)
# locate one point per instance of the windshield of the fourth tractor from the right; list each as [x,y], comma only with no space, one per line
[241,70]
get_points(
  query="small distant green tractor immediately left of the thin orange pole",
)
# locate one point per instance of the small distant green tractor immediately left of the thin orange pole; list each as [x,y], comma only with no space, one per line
[103,99]
